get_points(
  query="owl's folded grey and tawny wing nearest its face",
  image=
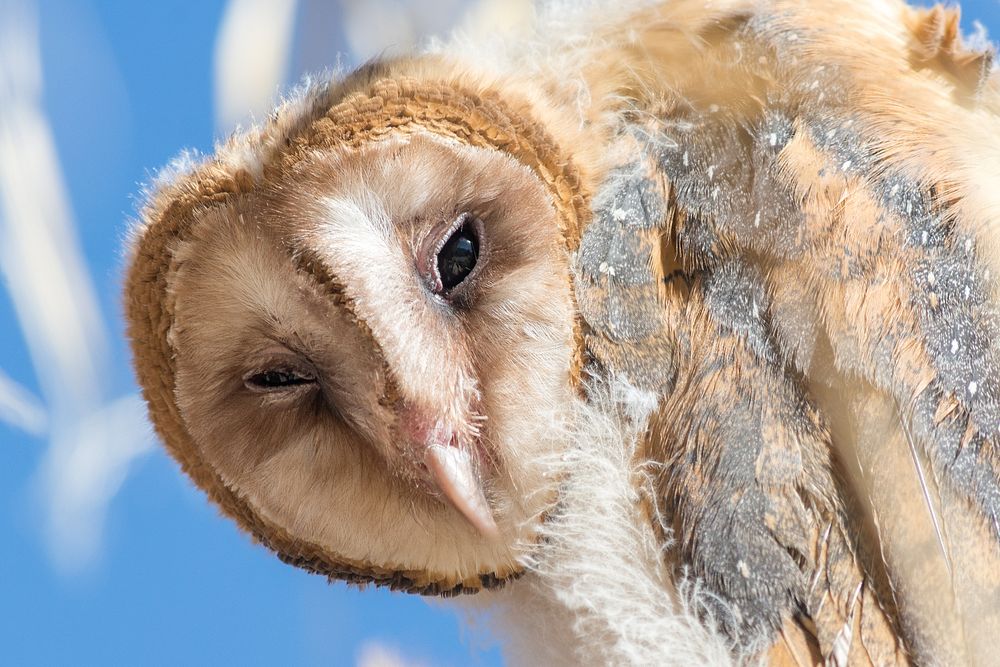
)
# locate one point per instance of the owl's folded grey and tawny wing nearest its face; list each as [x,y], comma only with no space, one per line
[748,479]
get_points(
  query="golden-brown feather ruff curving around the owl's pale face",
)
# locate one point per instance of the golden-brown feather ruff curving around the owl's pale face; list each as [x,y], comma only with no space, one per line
[369,105]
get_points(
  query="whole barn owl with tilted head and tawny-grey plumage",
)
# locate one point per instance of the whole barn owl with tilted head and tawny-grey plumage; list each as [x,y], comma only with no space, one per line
[706,291]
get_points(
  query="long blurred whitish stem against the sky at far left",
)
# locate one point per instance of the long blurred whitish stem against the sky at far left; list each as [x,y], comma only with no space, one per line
[91,440]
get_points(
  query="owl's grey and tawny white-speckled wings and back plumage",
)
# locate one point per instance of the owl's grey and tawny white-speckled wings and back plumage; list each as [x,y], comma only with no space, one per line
[829,365]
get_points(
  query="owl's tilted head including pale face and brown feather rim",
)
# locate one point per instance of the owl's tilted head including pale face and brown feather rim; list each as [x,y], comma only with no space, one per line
[354,326]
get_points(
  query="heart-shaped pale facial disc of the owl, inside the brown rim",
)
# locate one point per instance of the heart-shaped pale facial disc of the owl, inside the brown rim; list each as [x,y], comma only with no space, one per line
[374,353]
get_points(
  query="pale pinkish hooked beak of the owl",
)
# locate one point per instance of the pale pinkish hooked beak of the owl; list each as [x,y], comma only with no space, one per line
[455,475]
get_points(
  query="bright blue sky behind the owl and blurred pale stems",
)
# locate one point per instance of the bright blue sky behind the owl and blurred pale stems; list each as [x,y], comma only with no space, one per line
[149,573]
